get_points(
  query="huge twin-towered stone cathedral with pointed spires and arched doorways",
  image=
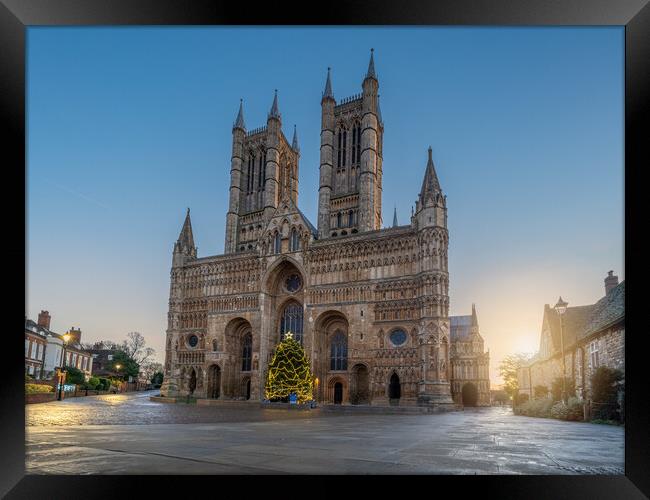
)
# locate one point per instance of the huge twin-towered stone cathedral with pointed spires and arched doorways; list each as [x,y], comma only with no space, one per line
[369,304]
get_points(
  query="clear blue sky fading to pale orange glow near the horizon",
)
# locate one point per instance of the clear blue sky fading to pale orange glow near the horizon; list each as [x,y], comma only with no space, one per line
[129,126]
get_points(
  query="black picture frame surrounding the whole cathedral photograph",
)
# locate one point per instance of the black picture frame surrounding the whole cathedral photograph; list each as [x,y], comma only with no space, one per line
[17,15]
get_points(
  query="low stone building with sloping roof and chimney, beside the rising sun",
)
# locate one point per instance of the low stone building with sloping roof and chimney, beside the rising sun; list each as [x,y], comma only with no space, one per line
[594,335]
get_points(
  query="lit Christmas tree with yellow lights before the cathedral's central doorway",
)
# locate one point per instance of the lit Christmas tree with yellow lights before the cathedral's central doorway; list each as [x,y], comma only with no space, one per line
[289,372]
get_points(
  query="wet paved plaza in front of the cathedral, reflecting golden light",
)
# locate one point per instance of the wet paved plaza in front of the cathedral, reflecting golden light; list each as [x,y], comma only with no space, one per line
[129,434]
